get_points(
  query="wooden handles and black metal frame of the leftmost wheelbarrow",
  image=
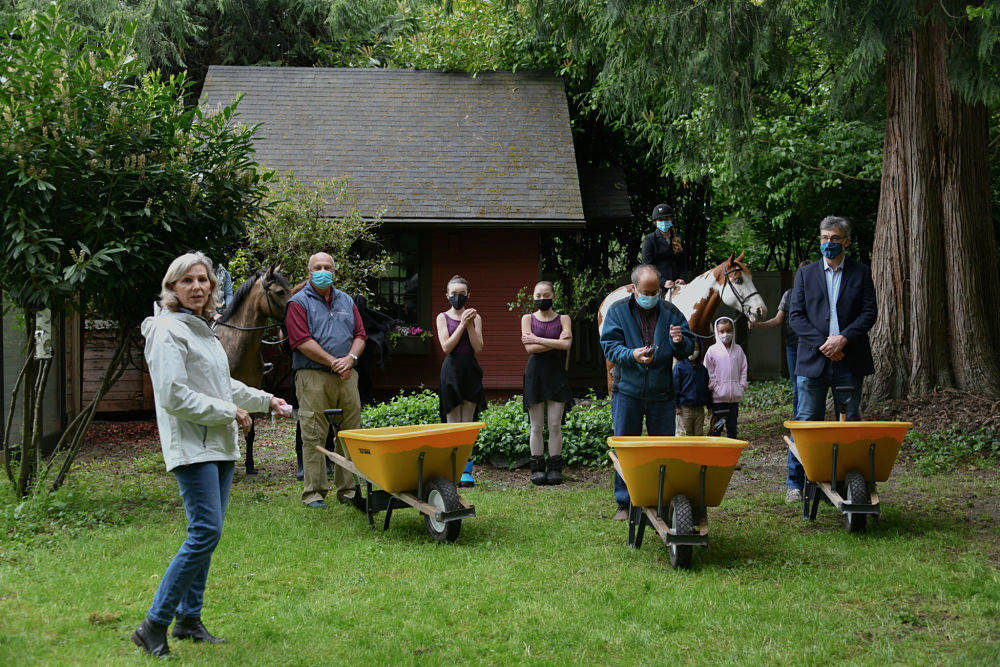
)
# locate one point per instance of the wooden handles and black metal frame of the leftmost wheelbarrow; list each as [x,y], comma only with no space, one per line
[378,500]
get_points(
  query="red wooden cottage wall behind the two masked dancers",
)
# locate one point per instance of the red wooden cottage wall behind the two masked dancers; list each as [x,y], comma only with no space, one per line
[497,263]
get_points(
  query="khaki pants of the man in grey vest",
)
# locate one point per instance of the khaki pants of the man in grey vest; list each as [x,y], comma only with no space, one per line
[318,391]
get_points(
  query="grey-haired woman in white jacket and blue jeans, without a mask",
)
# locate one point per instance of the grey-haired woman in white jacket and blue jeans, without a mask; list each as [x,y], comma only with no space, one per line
[198,408]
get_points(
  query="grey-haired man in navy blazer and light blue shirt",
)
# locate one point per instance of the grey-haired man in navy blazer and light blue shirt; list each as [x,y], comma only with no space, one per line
[833,308]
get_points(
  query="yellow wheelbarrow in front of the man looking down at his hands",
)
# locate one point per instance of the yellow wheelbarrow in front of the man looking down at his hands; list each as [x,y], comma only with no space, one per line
[671,482]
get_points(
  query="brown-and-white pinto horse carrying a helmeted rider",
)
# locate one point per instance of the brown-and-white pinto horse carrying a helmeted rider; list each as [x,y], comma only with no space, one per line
[729,283]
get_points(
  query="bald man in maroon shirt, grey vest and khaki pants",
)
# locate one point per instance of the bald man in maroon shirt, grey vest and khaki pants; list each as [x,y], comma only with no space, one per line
[327,337]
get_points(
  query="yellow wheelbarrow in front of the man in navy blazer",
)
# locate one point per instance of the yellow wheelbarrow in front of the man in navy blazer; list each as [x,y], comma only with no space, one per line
[844,460]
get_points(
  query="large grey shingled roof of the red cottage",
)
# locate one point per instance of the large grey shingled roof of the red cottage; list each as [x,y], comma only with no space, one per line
[428,147]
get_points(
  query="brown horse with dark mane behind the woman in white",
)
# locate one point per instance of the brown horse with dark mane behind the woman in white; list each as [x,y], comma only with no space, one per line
[241,327]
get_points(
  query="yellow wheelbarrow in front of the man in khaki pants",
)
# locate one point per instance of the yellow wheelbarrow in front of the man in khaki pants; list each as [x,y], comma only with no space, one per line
[413,466]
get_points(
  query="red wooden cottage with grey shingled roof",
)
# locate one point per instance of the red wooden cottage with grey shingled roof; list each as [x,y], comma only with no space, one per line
[467,170]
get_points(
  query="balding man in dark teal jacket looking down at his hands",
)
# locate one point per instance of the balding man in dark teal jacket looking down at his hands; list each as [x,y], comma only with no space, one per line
[642,335]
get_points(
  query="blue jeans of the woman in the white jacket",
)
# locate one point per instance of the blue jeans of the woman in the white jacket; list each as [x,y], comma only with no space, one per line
[205,492]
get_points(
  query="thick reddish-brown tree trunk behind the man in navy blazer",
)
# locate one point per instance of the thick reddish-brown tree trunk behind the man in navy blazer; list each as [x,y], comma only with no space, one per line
[934,244]
